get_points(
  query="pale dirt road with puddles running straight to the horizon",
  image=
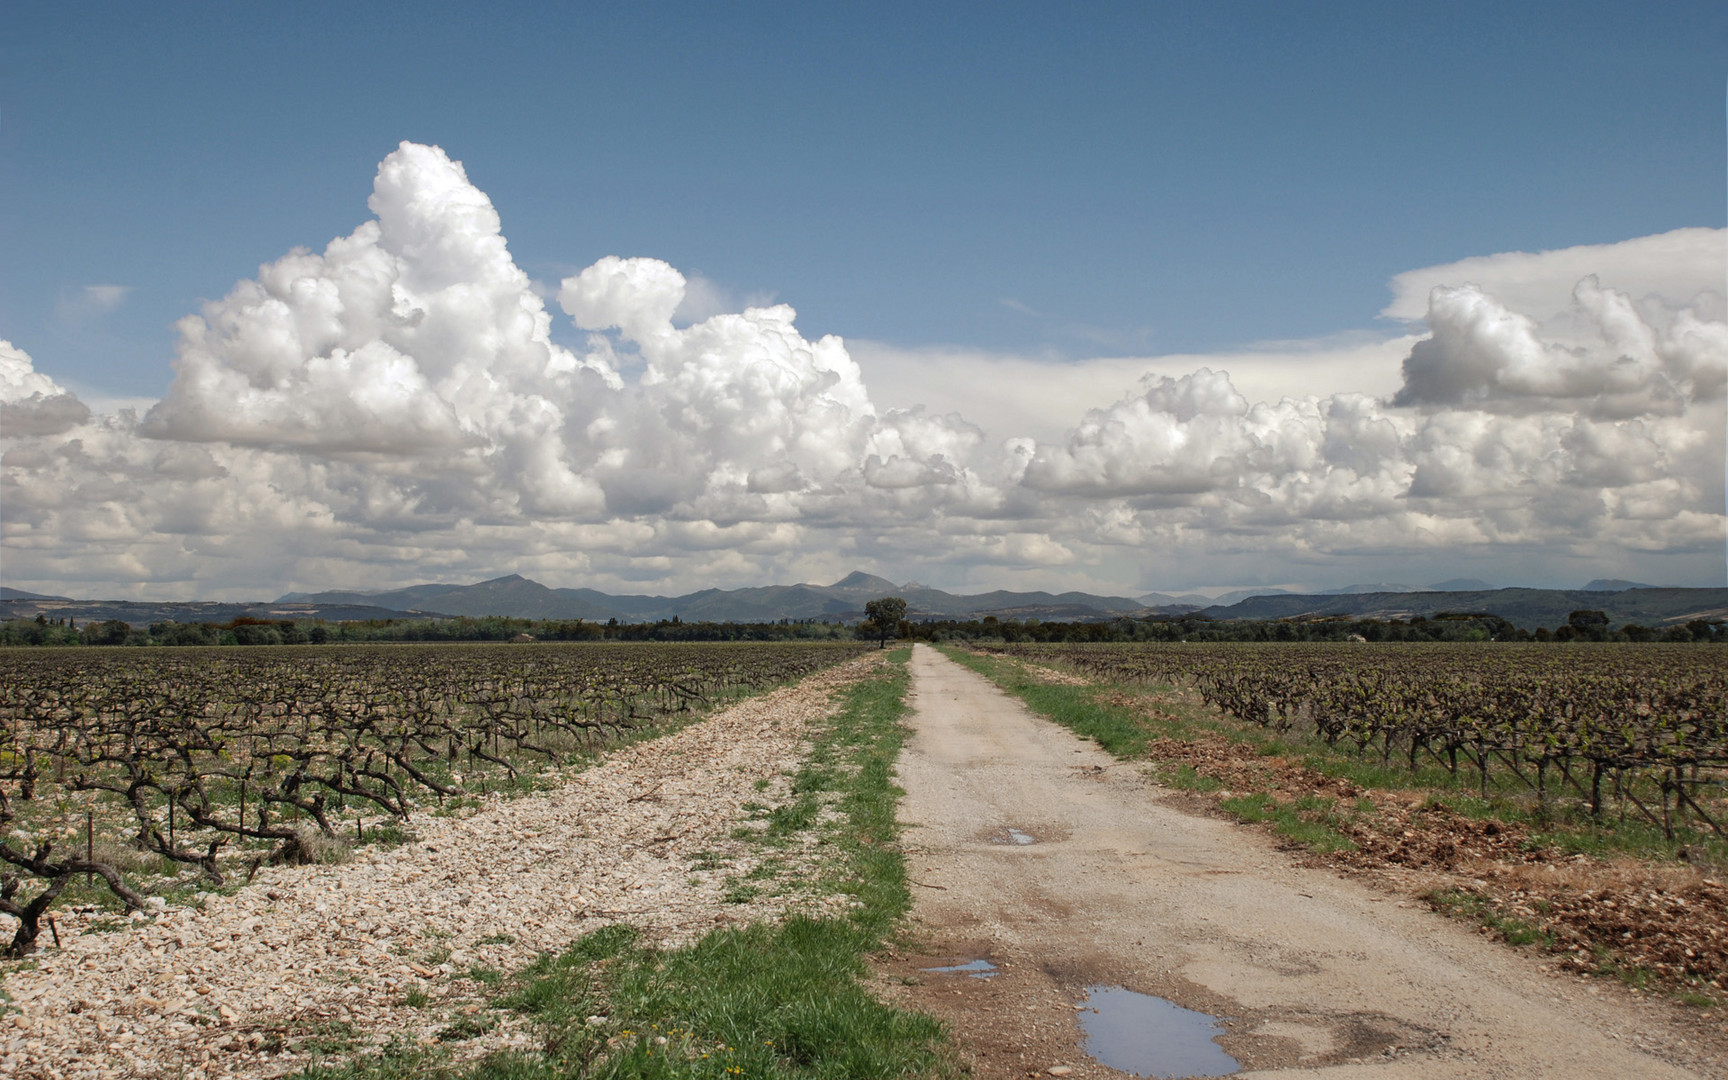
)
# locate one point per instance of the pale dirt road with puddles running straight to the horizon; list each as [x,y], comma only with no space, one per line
[1069,870]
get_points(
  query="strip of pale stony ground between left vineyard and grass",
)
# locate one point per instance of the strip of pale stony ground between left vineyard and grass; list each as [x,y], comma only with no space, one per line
[402,944]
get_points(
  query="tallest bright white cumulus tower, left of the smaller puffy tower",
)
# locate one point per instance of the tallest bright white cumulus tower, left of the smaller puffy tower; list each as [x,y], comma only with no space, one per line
[414,343]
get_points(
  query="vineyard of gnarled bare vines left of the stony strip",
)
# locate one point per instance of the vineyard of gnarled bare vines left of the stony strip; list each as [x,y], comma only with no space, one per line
[201,766]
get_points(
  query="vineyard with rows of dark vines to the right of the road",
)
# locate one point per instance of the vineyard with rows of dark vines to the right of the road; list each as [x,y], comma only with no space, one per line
[1629,728]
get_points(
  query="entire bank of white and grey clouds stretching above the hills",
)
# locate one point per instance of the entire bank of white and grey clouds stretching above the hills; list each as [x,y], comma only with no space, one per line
[397,409]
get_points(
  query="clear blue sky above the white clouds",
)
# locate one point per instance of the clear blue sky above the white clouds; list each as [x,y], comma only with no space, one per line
[1084,182]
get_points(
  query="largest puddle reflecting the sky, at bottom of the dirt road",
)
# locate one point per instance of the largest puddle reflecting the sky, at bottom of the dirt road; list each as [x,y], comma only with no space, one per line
[1148,1036]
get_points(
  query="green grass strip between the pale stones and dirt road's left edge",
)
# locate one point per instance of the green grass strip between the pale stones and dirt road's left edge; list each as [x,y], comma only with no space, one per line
[777,1001]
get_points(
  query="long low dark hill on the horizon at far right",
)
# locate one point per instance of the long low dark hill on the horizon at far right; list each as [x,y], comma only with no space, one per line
[1527,609]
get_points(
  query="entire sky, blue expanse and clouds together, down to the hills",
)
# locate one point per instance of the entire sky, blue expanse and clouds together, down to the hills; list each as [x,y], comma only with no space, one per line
[1010,213]
